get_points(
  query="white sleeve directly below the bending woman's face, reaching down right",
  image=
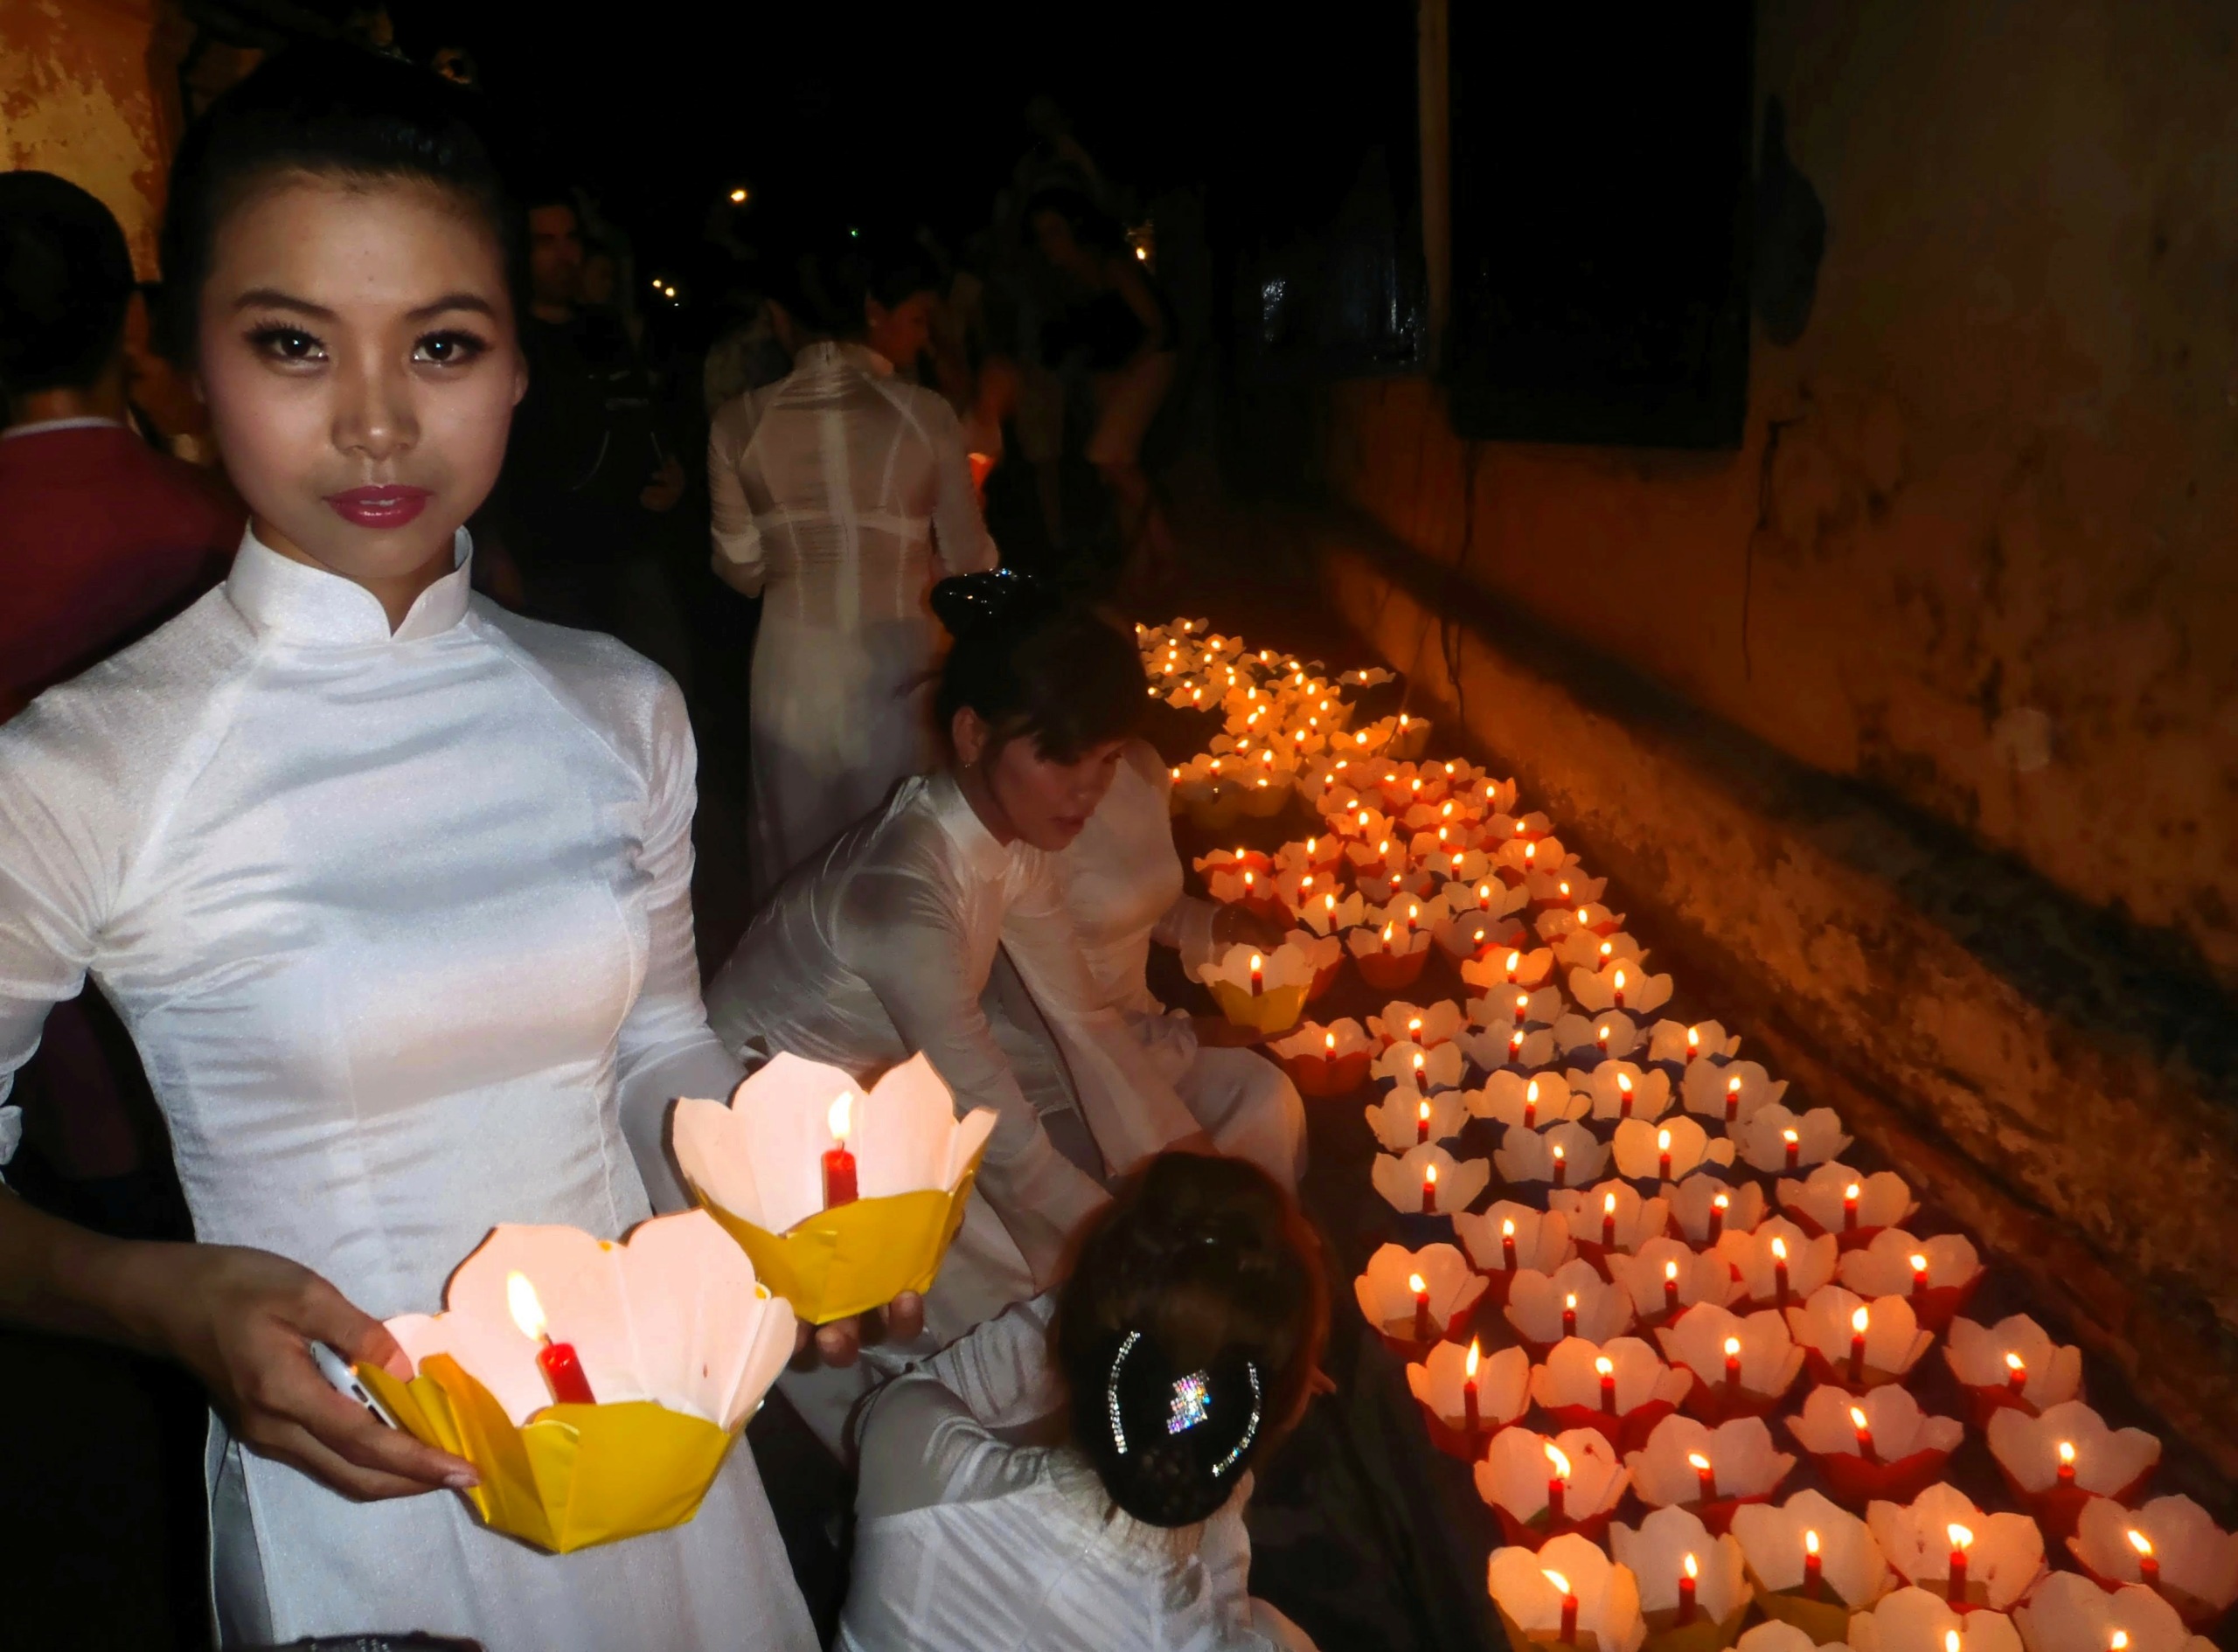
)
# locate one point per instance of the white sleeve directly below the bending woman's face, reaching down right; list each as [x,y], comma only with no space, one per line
[1131,1109]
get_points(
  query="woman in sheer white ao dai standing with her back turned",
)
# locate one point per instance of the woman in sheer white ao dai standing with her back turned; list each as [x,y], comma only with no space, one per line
[840,496]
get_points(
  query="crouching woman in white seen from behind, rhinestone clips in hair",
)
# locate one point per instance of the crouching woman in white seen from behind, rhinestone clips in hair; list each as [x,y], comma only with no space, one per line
[1176,1355]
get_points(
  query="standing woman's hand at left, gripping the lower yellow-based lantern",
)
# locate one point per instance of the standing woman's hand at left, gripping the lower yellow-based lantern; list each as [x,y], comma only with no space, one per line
[243,1322]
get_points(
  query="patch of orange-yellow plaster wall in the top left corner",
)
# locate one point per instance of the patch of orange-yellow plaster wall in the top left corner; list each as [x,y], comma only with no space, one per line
[77,100]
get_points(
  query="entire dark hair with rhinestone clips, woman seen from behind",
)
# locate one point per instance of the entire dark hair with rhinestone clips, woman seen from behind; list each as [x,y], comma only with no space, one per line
[1189,1333]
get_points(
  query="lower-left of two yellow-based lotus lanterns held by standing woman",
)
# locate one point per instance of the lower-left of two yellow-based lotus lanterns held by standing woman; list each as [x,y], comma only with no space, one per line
[675,1335]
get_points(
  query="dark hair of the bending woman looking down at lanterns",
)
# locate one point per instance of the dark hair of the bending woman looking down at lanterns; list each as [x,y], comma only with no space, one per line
[1037,664]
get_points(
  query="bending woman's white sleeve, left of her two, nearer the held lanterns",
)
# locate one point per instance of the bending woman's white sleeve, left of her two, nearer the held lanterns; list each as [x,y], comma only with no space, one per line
[905,941]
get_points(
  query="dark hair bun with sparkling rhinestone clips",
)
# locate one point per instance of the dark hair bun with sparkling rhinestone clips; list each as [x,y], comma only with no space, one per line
[1172,1445]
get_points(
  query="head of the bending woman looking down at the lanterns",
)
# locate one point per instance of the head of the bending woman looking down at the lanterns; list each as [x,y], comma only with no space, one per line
[1040,697]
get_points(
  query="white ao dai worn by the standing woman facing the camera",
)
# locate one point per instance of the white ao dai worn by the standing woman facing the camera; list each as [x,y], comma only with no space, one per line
[402,930]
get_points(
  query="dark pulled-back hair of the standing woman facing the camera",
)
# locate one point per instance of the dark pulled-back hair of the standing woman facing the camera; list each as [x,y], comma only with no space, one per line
[332,113]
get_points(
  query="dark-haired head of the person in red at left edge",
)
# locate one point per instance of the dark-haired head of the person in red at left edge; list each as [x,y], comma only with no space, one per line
[66,283]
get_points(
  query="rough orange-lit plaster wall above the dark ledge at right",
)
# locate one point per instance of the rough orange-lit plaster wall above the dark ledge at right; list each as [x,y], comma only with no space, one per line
[1984,532]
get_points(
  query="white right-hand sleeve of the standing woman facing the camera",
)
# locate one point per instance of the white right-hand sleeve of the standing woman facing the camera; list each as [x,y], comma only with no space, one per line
[666,1044]
